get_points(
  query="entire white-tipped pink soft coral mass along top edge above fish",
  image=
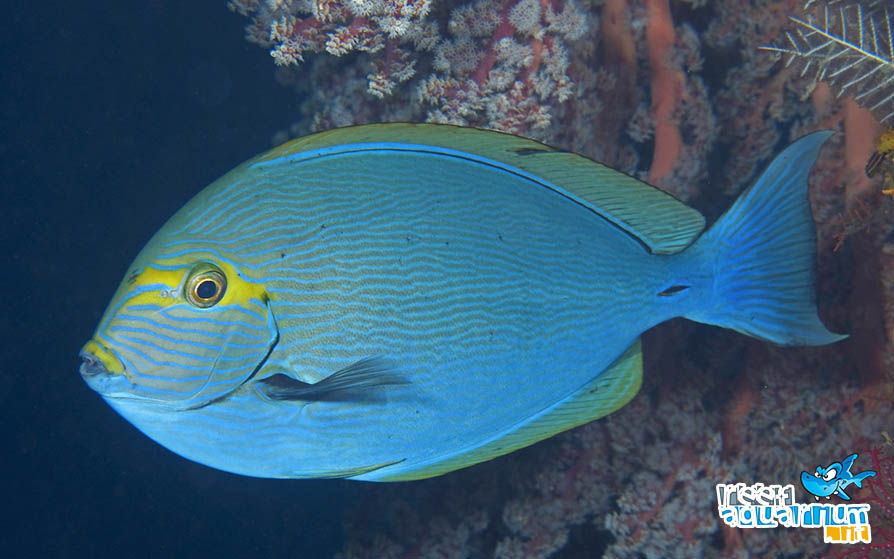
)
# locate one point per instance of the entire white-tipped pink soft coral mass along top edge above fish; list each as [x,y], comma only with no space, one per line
[500,65]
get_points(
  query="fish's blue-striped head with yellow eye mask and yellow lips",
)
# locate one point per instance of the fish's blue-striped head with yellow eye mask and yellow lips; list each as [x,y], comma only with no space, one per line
[184,329]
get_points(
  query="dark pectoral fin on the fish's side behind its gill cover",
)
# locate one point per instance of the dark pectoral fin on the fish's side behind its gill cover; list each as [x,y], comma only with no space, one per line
[352,382]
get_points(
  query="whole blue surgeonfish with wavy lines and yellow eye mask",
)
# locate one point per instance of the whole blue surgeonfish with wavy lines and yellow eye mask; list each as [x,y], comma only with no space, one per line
[397,301]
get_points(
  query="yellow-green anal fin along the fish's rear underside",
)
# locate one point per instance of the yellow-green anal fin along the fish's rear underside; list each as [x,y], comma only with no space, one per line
[609,391]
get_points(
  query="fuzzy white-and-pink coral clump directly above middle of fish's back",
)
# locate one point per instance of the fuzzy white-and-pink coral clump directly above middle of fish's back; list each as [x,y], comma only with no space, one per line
[507,66]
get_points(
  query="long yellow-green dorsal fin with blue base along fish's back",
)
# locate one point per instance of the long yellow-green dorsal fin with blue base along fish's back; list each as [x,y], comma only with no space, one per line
[661,222]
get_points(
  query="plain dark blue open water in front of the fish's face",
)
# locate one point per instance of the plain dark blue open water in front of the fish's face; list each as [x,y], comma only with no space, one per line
[114,114]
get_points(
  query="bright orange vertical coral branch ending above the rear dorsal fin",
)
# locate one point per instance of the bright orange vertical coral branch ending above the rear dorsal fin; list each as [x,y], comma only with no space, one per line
[667,89]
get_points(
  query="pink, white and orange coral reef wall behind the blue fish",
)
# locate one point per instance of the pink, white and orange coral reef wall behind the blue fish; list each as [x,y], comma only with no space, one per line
[676,92]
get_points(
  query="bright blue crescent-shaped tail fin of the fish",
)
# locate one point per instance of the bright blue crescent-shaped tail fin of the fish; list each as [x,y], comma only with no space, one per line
[762,252]
